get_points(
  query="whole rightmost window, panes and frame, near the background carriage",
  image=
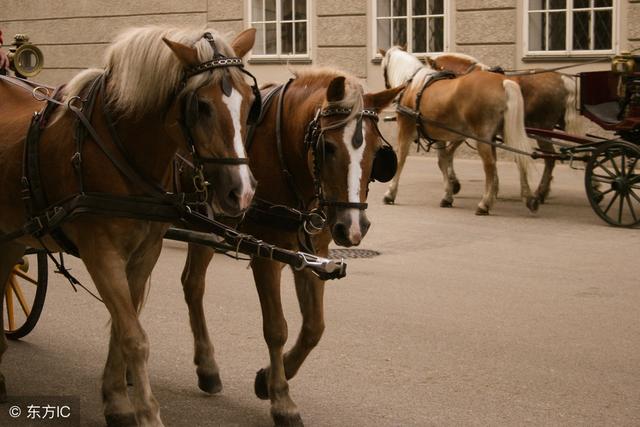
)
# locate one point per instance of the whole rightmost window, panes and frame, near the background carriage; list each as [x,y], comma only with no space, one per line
[570,26]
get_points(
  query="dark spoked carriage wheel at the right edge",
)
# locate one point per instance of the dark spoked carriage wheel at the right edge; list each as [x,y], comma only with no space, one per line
[612,181]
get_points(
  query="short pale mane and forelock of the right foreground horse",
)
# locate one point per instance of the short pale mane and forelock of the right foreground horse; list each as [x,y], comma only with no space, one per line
[322,77]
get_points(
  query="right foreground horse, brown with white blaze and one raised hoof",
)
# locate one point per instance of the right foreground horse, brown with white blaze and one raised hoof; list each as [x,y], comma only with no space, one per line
[301,178]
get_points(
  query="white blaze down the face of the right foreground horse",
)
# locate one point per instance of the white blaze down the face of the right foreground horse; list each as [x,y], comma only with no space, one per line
[354,177]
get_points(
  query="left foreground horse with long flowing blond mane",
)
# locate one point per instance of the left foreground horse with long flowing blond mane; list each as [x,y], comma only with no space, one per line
[153,78]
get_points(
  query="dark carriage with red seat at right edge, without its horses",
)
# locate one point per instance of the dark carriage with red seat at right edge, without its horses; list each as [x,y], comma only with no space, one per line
[611,99]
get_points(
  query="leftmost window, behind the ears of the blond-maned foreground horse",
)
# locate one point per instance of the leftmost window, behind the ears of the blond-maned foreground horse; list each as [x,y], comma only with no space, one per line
[282,27]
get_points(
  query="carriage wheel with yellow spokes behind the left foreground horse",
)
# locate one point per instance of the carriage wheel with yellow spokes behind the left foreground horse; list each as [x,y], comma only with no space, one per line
[25,294]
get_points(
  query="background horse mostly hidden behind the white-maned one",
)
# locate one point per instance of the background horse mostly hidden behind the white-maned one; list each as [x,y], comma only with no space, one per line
[549,101]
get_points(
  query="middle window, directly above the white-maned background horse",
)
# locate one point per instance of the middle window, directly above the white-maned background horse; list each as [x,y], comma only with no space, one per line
[418,24]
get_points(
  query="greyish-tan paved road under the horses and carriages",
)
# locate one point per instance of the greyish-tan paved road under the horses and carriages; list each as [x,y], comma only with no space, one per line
[510,319]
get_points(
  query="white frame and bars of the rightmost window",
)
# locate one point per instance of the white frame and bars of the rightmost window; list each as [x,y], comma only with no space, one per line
[570,52]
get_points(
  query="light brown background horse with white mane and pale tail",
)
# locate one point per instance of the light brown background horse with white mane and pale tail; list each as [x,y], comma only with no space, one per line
[480,104]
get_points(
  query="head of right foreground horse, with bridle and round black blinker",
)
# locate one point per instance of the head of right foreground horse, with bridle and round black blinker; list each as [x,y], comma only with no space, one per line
[349,155]
